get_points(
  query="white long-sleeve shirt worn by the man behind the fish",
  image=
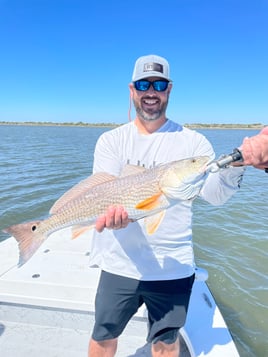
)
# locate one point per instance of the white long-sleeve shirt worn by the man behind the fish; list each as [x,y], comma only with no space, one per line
[168,253]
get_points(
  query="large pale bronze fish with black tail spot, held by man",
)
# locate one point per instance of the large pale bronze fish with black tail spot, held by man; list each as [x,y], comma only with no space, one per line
[143,192]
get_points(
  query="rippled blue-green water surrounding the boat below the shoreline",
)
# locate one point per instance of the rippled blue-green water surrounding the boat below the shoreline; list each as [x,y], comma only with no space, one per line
[39,163]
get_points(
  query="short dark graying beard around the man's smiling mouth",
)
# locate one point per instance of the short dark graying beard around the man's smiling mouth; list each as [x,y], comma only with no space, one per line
[150,114]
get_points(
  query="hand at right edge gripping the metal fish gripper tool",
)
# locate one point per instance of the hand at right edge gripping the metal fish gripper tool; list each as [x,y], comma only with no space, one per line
[255,150]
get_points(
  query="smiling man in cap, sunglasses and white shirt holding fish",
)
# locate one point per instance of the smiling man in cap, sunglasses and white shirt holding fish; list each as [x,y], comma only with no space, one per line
[158,269]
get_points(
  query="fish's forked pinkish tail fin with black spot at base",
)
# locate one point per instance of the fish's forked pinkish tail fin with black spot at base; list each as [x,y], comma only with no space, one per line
[28,238]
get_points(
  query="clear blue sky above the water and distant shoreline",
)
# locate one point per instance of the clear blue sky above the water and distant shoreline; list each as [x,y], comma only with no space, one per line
[72,60]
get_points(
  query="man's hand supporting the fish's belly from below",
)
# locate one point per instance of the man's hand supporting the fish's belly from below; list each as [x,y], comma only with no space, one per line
[115,218]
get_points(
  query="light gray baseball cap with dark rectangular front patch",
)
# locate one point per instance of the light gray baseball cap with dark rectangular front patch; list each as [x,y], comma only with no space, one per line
[151,66]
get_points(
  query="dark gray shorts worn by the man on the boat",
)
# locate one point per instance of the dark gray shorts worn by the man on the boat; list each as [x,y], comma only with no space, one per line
[118,299]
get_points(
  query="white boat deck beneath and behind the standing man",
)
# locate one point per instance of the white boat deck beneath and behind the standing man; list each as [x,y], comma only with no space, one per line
[47,307]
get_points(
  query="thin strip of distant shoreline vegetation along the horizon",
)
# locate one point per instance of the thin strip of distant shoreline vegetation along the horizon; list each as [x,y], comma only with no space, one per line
[192,125]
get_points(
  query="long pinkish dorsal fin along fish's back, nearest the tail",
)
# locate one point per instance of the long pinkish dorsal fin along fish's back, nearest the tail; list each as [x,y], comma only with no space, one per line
[80,189]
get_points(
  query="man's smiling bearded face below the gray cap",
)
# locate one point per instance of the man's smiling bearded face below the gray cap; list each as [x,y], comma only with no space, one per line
[150,104]
